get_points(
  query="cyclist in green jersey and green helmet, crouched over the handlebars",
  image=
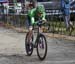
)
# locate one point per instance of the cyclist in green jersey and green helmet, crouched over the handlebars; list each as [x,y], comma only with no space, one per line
[34,15]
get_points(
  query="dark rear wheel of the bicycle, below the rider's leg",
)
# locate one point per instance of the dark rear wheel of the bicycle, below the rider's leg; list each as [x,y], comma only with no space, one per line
[29,45]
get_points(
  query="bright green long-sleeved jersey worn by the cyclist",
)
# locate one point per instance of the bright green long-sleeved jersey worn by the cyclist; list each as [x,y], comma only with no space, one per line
[33,15]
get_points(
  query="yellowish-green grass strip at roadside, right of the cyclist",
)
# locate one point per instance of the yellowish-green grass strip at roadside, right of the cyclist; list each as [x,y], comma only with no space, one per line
[59,27]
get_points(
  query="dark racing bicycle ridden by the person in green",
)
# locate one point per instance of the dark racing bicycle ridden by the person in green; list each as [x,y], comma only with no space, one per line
[40,42]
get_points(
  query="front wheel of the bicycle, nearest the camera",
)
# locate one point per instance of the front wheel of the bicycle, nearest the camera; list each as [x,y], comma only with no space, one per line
[41,47]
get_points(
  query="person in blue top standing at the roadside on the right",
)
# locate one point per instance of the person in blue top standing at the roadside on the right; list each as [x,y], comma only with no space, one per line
[65,8]
